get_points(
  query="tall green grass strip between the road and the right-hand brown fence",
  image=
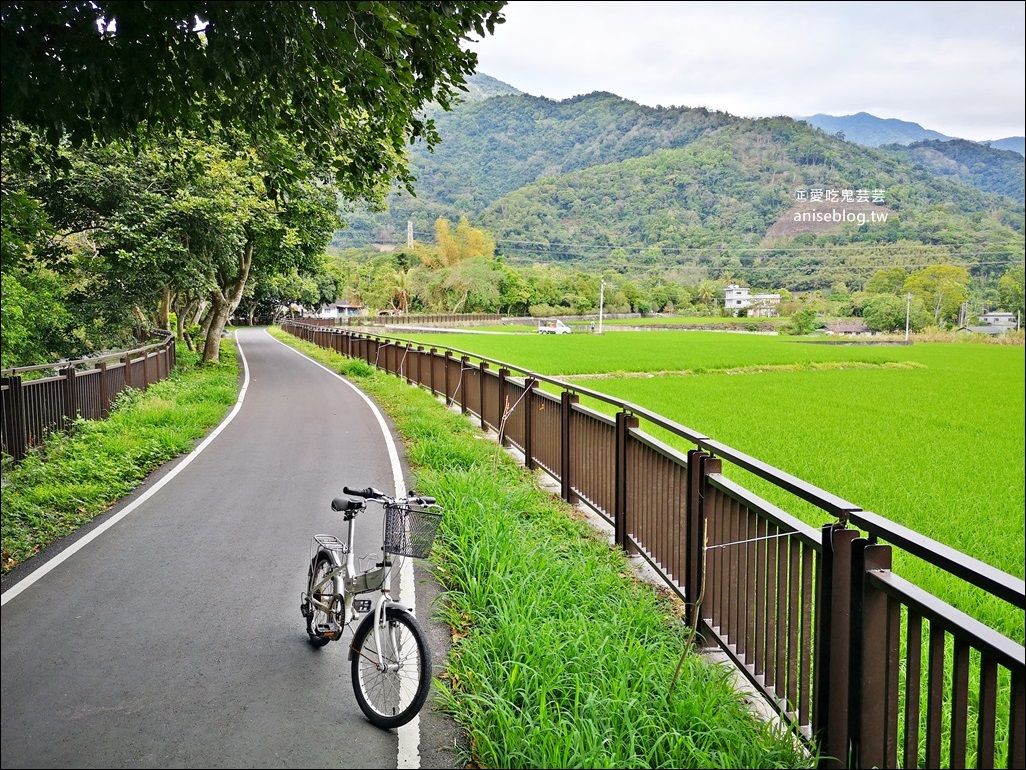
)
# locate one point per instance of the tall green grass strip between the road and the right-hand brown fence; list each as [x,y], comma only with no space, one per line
[561,657]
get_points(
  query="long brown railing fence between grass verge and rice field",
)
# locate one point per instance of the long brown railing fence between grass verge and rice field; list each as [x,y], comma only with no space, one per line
[815,618]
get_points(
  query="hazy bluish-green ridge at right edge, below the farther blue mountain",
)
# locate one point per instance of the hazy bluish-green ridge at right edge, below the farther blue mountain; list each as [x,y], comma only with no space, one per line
[984,168]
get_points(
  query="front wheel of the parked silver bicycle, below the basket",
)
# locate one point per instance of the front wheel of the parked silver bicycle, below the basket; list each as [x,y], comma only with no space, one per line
[392,695]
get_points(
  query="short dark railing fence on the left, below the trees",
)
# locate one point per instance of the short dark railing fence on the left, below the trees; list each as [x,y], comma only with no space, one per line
[32,409]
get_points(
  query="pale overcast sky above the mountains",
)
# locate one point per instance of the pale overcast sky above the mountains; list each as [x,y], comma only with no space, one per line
[957,68]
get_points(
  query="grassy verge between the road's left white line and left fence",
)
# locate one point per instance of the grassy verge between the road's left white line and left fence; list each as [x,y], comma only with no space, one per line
[78,475]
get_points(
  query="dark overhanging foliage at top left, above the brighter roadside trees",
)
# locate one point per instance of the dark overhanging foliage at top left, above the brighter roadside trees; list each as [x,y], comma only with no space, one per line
[346,82]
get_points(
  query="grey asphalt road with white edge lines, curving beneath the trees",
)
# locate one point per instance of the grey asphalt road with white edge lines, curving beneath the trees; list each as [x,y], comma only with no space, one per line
[168,633]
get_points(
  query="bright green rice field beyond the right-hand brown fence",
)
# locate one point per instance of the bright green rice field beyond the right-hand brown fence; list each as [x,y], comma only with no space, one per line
[929,436]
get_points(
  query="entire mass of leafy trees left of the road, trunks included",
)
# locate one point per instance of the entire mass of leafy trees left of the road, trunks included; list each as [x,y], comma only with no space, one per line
[172,158]
